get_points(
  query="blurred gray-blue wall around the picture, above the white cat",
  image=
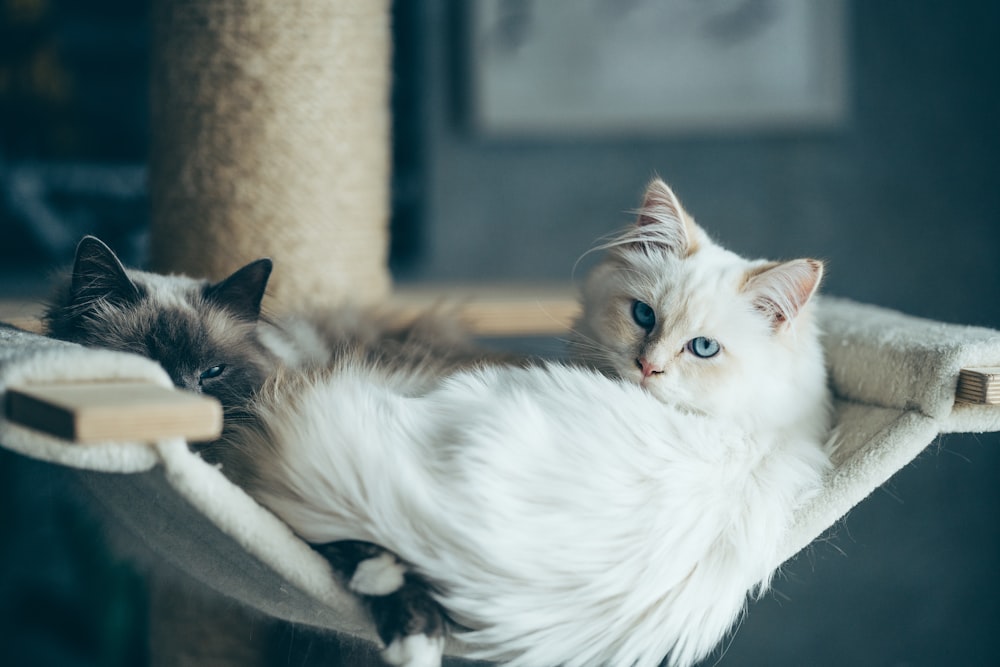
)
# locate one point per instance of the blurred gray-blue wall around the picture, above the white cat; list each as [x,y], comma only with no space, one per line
[902,200]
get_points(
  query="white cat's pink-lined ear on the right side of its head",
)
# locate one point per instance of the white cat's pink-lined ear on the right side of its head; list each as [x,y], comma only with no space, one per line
[780,290]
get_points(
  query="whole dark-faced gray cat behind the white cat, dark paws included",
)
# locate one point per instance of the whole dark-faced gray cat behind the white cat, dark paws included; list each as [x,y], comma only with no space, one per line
[212,338]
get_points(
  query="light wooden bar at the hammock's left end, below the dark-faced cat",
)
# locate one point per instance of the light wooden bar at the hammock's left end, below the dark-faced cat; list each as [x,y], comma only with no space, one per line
[121,410]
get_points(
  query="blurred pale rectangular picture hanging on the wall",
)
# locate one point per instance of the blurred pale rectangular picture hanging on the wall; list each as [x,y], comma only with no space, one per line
[654,67]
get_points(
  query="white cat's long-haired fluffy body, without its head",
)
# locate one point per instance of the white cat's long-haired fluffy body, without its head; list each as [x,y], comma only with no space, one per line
[560,513]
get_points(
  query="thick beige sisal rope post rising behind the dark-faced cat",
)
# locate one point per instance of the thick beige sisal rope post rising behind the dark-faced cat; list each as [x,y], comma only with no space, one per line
[270,137]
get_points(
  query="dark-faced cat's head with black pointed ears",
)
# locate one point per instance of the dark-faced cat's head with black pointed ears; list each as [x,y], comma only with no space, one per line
[211,347]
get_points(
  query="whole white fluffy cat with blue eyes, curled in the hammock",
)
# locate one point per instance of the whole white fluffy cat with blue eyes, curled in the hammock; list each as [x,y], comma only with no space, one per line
[561,516]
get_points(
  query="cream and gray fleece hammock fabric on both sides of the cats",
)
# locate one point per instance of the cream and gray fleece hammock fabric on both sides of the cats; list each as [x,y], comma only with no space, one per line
[893,376]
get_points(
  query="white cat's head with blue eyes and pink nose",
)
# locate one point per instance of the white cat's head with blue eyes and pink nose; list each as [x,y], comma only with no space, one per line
[701,327]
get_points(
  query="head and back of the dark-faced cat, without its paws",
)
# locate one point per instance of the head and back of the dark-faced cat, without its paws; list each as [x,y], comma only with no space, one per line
[212,338]
